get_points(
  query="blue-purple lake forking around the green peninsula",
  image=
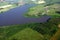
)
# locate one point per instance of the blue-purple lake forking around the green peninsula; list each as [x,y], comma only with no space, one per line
[15,16]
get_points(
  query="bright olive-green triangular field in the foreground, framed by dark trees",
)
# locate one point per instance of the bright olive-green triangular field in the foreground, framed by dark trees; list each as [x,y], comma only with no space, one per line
[27,34]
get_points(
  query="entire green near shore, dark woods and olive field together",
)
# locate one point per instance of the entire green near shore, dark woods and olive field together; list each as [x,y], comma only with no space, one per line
[31,31]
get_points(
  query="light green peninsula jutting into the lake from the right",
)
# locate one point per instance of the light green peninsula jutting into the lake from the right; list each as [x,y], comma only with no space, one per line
[41,10]
